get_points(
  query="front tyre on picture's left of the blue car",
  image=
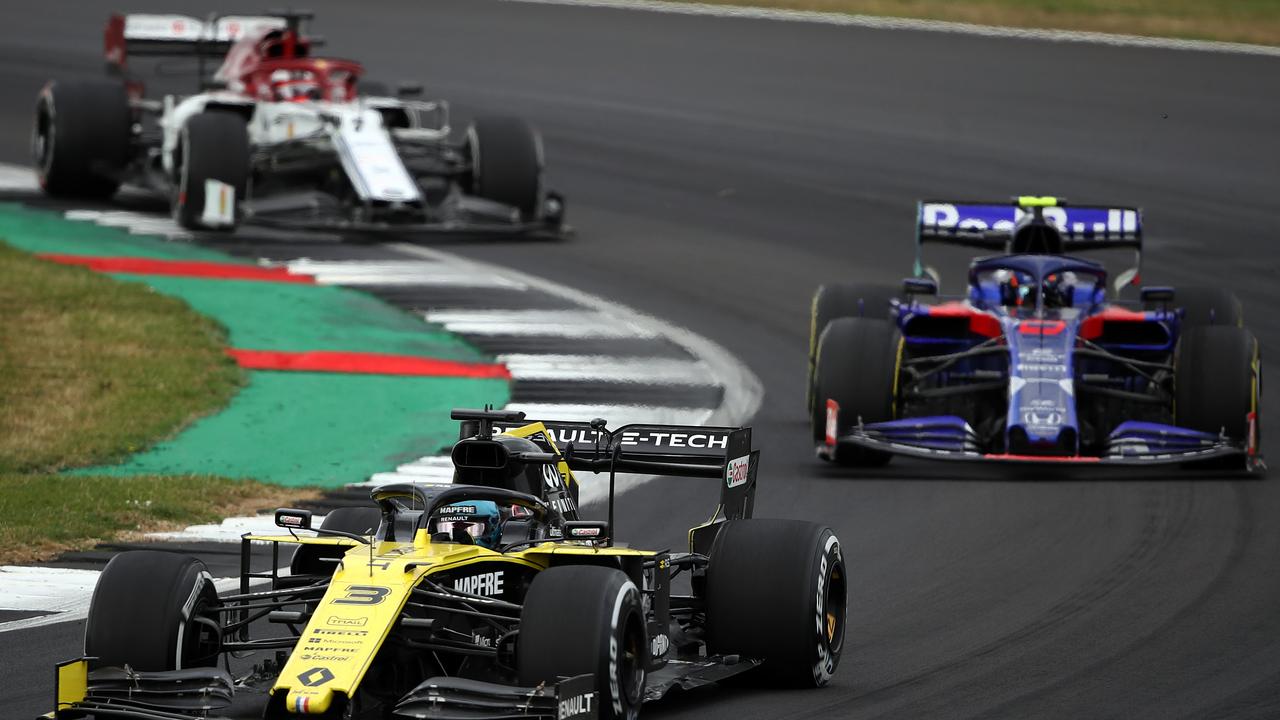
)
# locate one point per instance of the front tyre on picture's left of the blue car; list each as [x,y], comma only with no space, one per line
[858,366]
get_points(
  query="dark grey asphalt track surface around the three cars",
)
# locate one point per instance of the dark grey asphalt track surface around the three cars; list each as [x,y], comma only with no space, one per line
[720,170]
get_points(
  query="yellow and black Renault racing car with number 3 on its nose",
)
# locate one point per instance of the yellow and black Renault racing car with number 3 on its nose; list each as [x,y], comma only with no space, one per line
[490,598]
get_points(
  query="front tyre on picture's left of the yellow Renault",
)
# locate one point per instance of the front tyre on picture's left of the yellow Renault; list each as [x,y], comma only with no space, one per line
[153,612]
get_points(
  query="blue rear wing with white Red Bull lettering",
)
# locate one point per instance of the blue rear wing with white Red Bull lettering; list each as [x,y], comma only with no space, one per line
[990,226]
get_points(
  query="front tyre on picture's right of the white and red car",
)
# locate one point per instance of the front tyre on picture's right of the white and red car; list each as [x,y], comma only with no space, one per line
[508,165]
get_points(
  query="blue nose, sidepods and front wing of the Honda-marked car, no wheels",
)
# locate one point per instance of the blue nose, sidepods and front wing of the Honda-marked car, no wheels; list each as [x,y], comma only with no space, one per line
[1034,367]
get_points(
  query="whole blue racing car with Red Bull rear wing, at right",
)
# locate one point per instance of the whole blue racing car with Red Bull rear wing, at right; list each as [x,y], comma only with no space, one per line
[1035,364]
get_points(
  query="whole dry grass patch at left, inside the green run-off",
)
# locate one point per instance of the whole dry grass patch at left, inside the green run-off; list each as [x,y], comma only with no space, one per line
[92,371]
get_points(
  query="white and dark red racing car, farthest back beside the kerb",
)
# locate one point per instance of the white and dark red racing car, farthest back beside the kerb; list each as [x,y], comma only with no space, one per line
[282,138]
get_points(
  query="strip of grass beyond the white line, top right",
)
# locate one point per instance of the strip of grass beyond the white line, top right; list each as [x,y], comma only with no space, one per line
[1236,21]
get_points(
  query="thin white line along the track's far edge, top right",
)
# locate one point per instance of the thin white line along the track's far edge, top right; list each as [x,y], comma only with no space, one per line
[875,22]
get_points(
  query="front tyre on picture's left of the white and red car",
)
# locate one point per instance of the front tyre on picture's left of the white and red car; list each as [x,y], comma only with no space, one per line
[214,147]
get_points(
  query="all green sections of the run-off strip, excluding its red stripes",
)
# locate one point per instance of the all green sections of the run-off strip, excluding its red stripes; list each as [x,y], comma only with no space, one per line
[289,429]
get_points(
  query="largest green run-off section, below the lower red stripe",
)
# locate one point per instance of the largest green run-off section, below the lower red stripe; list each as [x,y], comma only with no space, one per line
[318,429]
